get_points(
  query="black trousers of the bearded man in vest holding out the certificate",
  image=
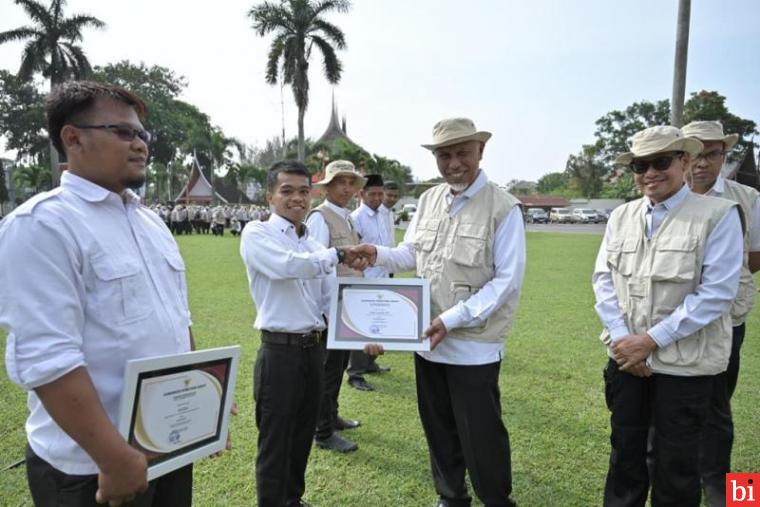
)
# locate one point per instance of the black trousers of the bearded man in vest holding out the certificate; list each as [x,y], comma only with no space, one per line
[460,409]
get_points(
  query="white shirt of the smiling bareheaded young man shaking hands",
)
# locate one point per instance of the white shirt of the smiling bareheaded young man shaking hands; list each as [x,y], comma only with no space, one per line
[290,277]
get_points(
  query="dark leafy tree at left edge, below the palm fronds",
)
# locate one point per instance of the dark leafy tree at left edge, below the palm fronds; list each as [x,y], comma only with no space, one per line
[22,119]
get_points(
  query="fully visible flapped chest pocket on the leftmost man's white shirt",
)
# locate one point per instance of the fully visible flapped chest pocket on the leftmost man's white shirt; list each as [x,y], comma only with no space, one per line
[119,289]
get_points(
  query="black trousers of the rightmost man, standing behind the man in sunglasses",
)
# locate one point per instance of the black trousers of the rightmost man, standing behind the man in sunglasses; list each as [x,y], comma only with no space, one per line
[718,436]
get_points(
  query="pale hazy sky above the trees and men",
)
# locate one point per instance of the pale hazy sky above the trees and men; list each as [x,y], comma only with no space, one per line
[536,74]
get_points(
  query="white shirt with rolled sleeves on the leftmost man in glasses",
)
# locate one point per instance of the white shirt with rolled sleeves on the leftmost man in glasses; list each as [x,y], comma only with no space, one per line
[91,282]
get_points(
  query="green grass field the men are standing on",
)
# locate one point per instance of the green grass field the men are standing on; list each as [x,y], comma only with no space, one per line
[550,379]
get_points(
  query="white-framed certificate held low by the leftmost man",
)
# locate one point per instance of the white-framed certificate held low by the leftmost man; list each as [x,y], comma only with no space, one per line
[175,409]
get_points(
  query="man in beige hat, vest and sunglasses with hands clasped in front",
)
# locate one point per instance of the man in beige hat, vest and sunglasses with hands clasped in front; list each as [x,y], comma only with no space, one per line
[665,277]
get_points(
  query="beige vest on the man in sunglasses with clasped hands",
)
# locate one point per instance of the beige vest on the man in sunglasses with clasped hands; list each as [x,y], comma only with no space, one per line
[653,276]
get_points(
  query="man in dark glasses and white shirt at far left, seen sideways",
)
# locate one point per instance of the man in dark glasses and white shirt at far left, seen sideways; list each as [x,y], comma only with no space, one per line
[95,279]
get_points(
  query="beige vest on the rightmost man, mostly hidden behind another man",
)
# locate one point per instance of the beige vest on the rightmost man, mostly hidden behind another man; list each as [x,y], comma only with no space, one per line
[745,298]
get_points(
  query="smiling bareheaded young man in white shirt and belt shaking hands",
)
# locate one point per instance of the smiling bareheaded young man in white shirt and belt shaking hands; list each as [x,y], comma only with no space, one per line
[290,277]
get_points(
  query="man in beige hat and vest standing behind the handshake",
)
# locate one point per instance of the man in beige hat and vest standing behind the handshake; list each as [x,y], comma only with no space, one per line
[330,224]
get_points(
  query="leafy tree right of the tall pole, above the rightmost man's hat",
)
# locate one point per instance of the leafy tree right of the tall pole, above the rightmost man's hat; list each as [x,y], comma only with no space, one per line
[706,105]
